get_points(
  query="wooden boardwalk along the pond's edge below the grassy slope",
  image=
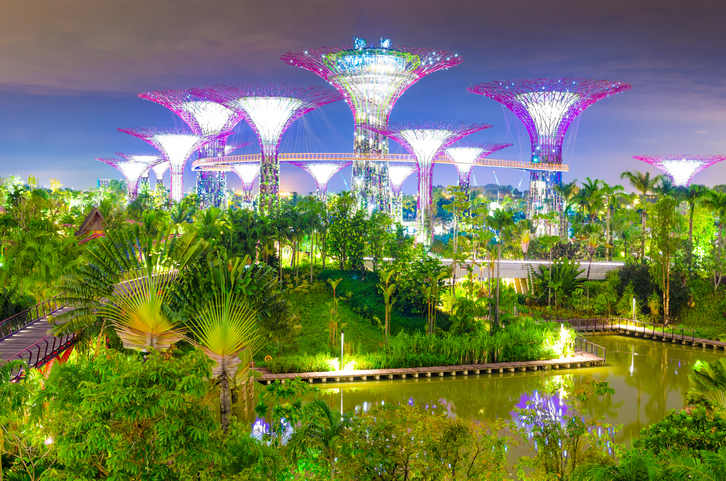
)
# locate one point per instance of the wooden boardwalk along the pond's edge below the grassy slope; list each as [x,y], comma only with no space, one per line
[580,359]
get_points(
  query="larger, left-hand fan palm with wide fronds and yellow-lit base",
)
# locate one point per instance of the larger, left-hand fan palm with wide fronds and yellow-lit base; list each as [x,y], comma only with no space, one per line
[126,279]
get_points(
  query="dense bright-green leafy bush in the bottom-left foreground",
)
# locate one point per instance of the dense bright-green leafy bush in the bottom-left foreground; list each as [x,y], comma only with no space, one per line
[114,416]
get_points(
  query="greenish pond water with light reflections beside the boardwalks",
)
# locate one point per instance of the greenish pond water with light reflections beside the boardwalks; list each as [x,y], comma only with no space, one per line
[649,377]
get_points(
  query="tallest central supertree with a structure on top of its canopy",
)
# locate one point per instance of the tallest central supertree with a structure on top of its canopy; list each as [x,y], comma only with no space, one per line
[371,79]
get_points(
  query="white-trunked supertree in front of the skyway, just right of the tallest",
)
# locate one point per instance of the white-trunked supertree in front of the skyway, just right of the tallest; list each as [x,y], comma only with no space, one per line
[425,141]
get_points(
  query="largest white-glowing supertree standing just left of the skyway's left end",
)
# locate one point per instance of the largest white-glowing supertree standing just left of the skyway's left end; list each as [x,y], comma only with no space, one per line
[176,147]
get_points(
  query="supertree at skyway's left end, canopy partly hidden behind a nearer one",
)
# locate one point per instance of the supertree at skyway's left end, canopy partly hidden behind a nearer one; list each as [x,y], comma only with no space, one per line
[208,119]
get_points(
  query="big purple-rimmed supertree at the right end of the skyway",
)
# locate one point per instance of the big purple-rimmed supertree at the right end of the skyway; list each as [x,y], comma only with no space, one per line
[547,107]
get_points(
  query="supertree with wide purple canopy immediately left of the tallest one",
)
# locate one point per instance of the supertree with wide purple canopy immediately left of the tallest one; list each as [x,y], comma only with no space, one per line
[270,110]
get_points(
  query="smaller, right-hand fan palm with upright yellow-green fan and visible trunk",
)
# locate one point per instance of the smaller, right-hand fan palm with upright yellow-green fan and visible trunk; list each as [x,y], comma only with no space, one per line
[228,332]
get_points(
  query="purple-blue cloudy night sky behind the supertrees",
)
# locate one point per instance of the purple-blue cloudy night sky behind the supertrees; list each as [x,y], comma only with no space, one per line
[70,72]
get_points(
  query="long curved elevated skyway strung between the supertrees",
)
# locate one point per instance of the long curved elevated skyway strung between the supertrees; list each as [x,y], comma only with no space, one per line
[225,163]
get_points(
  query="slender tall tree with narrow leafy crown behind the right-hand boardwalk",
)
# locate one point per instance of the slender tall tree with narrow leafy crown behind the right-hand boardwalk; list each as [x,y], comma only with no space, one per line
[664,231]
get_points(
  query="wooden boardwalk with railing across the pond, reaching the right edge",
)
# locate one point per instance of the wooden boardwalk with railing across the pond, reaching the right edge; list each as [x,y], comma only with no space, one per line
[675,335]
